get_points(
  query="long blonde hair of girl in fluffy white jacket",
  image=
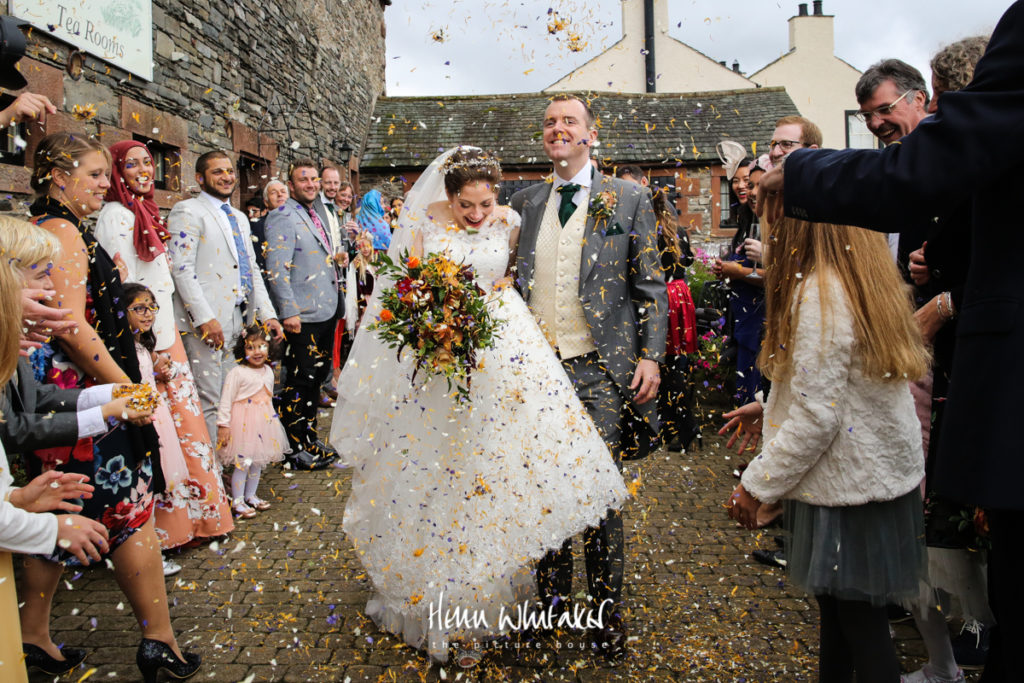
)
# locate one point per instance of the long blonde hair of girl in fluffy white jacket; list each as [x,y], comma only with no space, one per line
[887,337]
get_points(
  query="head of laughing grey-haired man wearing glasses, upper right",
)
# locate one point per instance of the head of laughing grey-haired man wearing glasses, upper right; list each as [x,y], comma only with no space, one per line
[893,100]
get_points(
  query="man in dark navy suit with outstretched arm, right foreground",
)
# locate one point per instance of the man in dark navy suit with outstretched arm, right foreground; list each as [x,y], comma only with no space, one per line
[968,152]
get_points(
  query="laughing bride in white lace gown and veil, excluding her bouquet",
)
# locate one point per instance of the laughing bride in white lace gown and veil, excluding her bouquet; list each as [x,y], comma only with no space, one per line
[452,503]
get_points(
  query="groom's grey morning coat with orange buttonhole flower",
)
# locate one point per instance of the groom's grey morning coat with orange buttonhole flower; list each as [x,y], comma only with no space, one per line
[622,286]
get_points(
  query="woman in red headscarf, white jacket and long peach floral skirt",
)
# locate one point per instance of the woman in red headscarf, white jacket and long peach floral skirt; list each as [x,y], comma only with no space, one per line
[131,227]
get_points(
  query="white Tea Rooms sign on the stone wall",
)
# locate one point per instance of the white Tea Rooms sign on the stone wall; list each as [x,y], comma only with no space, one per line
[116,31]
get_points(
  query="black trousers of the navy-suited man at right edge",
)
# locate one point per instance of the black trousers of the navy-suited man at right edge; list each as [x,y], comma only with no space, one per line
[1006,596]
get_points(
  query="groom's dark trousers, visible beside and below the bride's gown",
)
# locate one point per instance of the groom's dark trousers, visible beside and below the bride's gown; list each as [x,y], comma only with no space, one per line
[603,545]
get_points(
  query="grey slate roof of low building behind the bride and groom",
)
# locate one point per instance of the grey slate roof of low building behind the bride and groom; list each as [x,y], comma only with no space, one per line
[678,129]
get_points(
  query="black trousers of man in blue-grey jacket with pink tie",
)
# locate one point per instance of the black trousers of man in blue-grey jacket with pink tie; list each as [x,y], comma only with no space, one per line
[308,363]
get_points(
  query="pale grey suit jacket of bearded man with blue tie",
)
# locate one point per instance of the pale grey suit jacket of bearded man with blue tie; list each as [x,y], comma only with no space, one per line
[205,266]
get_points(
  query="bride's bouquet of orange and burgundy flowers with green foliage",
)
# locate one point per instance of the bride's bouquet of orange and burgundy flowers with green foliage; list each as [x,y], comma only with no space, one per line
[437,310]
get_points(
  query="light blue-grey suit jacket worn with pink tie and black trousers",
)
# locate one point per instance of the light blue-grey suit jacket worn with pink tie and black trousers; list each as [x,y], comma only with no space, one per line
[301,267]
